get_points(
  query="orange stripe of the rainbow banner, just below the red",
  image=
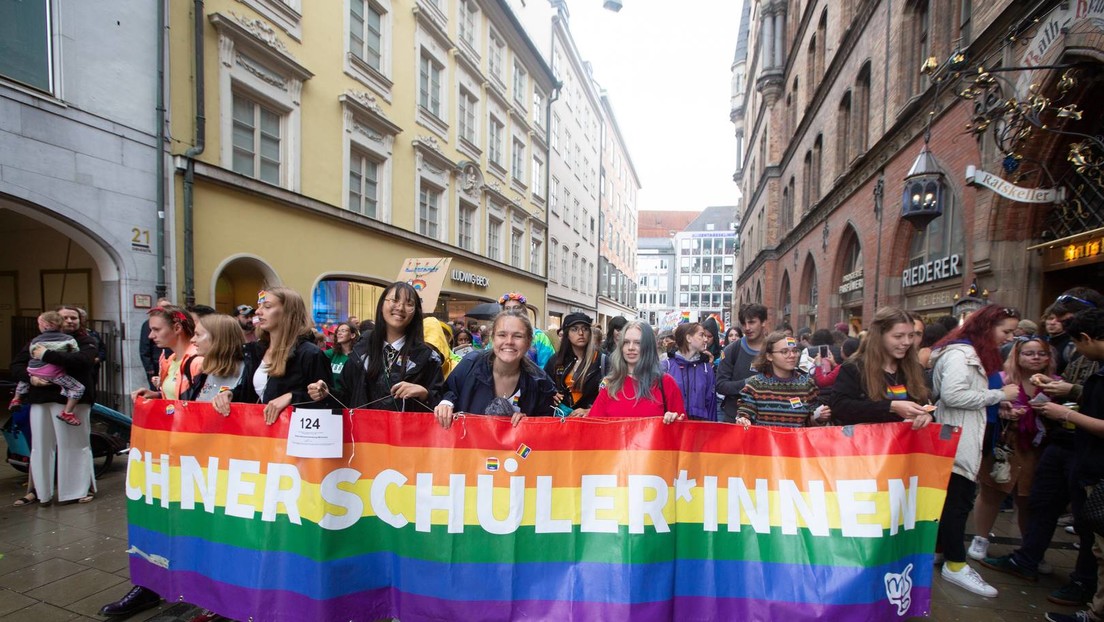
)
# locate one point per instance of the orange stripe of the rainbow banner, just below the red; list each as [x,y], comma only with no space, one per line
[371,459]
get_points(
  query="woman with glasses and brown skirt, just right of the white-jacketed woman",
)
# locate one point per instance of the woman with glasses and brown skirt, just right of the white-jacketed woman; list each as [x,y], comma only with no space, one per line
[1020,428]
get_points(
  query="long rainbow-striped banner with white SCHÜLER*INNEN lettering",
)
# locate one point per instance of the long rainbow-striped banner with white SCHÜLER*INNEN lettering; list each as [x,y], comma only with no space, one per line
[577,521]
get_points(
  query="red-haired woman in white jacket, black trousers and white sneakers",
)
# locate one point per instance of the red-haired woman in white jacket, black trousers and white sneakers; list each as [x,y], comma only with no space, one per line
[967,378]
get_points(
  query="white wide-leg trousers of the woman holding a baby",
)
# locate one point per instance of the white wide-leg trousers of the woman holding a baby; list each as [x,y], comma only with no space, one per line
[52,437]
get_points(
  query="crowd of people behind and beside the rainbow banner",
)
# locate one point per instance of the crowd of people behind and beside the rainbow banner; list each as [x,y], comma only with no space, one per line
[1029,405]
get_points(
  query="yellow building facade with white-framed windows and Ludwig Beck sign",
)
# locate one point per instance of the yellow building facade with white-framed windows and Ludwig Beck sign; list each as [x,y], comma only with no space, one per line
[336,140]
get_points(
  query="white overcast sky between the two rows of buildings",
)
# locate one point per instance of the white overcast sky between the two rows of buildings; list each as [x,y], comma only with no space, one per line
[667,69]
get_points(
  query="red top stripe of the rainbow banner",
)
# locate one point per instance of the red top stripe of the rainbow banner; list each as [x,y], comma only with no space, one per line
[421,430]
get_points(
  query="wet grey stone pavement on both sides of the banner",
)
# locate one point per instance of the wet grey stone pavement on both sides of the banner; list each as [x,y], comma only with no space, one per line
[65,563]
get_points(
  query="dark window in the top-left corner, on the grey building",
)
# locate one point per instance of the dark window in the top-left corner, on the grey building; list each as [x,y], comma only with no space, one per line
[26,50]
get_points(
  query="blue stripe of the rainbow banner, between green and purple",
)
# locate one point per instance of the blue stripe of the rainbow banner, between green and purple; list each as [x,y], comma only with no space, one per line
[589,583]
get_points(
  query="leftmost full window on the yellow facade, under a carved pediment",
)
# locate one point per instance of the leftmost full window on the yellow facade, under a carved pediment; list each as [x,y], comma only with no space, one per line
[257,141]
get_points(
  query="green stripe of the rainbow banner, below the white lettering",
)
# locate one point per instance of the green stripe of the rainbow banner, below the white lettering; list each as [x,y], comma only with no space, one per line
[370,535]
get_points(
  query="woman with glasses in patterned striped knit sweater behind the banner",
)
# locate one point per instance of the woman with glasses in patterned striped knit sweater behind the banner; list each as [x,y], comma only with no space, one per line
[780,395]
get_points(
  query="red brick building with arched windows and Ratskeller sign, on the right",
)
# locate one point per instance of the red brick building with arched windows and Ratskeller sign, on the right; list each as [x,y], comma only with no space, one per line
[833,108]
